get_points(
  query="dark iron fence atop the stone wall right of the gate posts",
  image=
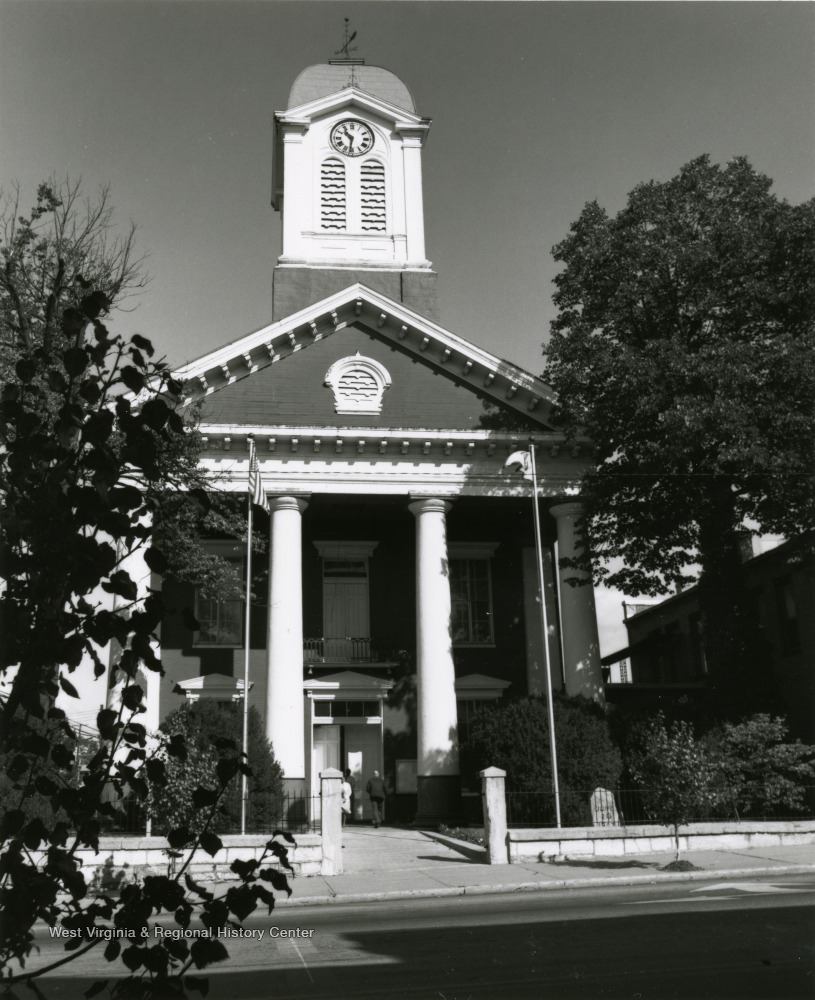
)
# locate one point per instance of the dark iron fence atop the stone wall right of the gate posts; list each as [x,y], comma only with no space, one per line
[632,806]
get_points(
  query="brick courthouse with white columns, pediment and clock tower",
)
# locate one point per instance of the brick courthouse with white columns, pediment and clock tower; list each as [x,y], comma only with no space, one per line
[401,589]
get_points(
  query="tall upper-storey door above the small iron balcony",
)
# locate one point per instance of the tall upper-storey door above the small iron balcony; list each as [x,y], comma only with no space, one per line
[345,608]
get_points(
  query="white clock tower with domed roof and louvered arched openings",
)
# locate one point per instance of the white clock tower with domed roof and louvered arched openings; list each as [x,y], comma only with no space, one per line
[347,179]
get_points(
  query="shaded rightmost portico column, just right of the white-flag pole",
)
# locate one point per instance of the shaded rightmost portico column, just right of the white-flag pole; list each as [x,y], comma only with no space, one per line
[578,618]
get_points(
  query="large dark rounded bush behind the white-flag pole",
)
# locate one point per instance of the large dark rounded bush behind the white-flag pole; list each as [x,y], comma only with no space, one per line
[515,737]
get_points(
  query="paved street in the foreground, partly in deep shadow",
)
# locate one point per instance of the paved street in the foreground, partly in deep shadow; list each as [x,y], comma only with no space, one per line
[717,939]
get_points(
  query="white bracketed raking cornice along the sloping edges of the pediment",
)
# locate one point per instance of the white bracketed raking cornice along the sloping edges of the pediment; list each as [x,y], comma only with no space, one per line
[446,354]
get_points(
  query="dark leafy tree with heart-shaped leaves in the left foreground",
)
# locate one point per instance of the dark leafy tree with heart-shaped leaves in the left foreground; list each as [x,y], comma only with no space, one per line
[91,435]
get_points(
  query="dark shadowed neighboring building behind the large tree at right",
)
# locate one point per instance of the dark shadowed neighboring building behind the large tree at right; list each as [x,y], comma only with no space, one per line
[665,655]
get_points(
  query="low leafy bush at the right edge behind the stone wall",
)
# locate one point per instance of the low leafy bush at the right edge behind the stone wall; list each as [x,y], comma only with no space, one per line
[763,773]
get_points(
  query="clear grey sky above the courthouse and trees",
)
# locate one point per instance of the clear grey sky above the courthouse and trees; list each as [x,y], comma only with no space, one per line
[537,108]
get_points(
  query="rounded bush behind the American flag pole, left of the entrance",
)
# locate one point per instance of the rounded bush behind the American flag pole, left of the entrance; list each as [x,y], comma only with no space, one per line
[204,725]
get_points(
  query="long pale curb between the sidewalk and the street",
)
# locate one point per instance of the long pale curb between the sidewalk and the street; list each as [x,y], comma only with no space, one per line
[508,889]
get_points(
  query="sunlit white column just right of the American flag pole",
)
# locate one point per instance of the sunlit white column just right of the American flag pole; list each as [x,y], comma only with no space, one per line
[284,646]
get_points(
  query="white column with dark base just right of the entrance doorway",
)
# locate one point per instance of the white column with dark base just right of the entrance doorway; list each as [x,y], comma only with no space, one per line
[437,721]
